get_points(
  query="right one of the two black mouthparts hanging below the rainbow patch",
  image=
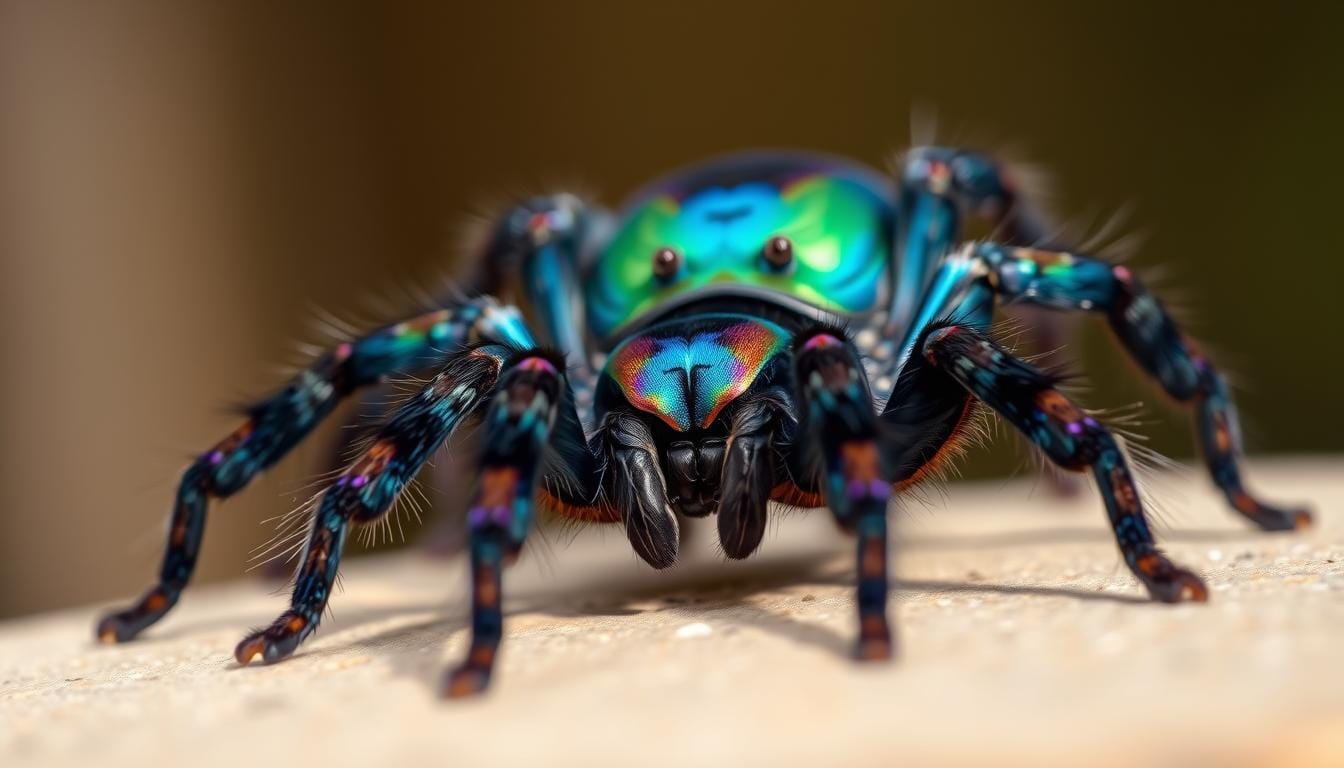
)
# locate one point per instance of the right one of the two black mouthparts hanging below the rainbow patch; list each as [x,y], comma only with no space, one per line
[748,475]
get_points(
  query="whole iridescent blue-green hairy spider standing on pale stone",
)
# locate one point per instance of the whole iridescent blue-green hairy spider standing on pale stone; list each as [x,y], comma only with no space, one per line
[764,328]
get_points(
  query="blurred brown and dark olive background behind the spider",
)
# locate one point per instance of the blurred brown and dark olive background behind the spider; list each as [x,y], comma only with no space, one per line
[182,182]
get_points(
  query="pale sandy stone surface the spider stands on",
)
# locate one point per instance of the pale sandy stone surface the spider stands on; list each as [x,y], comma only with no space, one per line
[1022,641]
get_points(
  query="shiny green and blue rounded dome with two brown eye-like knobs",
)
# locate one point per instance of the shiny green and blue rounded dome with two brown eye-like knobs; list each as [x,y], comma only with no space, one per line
[799,231]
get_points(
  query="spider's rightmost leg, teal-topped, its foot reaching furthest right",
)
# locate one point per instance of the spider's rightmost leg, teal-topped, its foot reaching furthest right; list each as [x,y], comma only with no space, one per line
[1069,282]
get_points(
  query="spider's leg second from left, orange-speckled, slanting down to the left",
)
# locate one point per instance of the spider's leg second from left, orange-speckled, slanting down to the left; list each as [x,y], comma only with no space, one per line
[368,489]
